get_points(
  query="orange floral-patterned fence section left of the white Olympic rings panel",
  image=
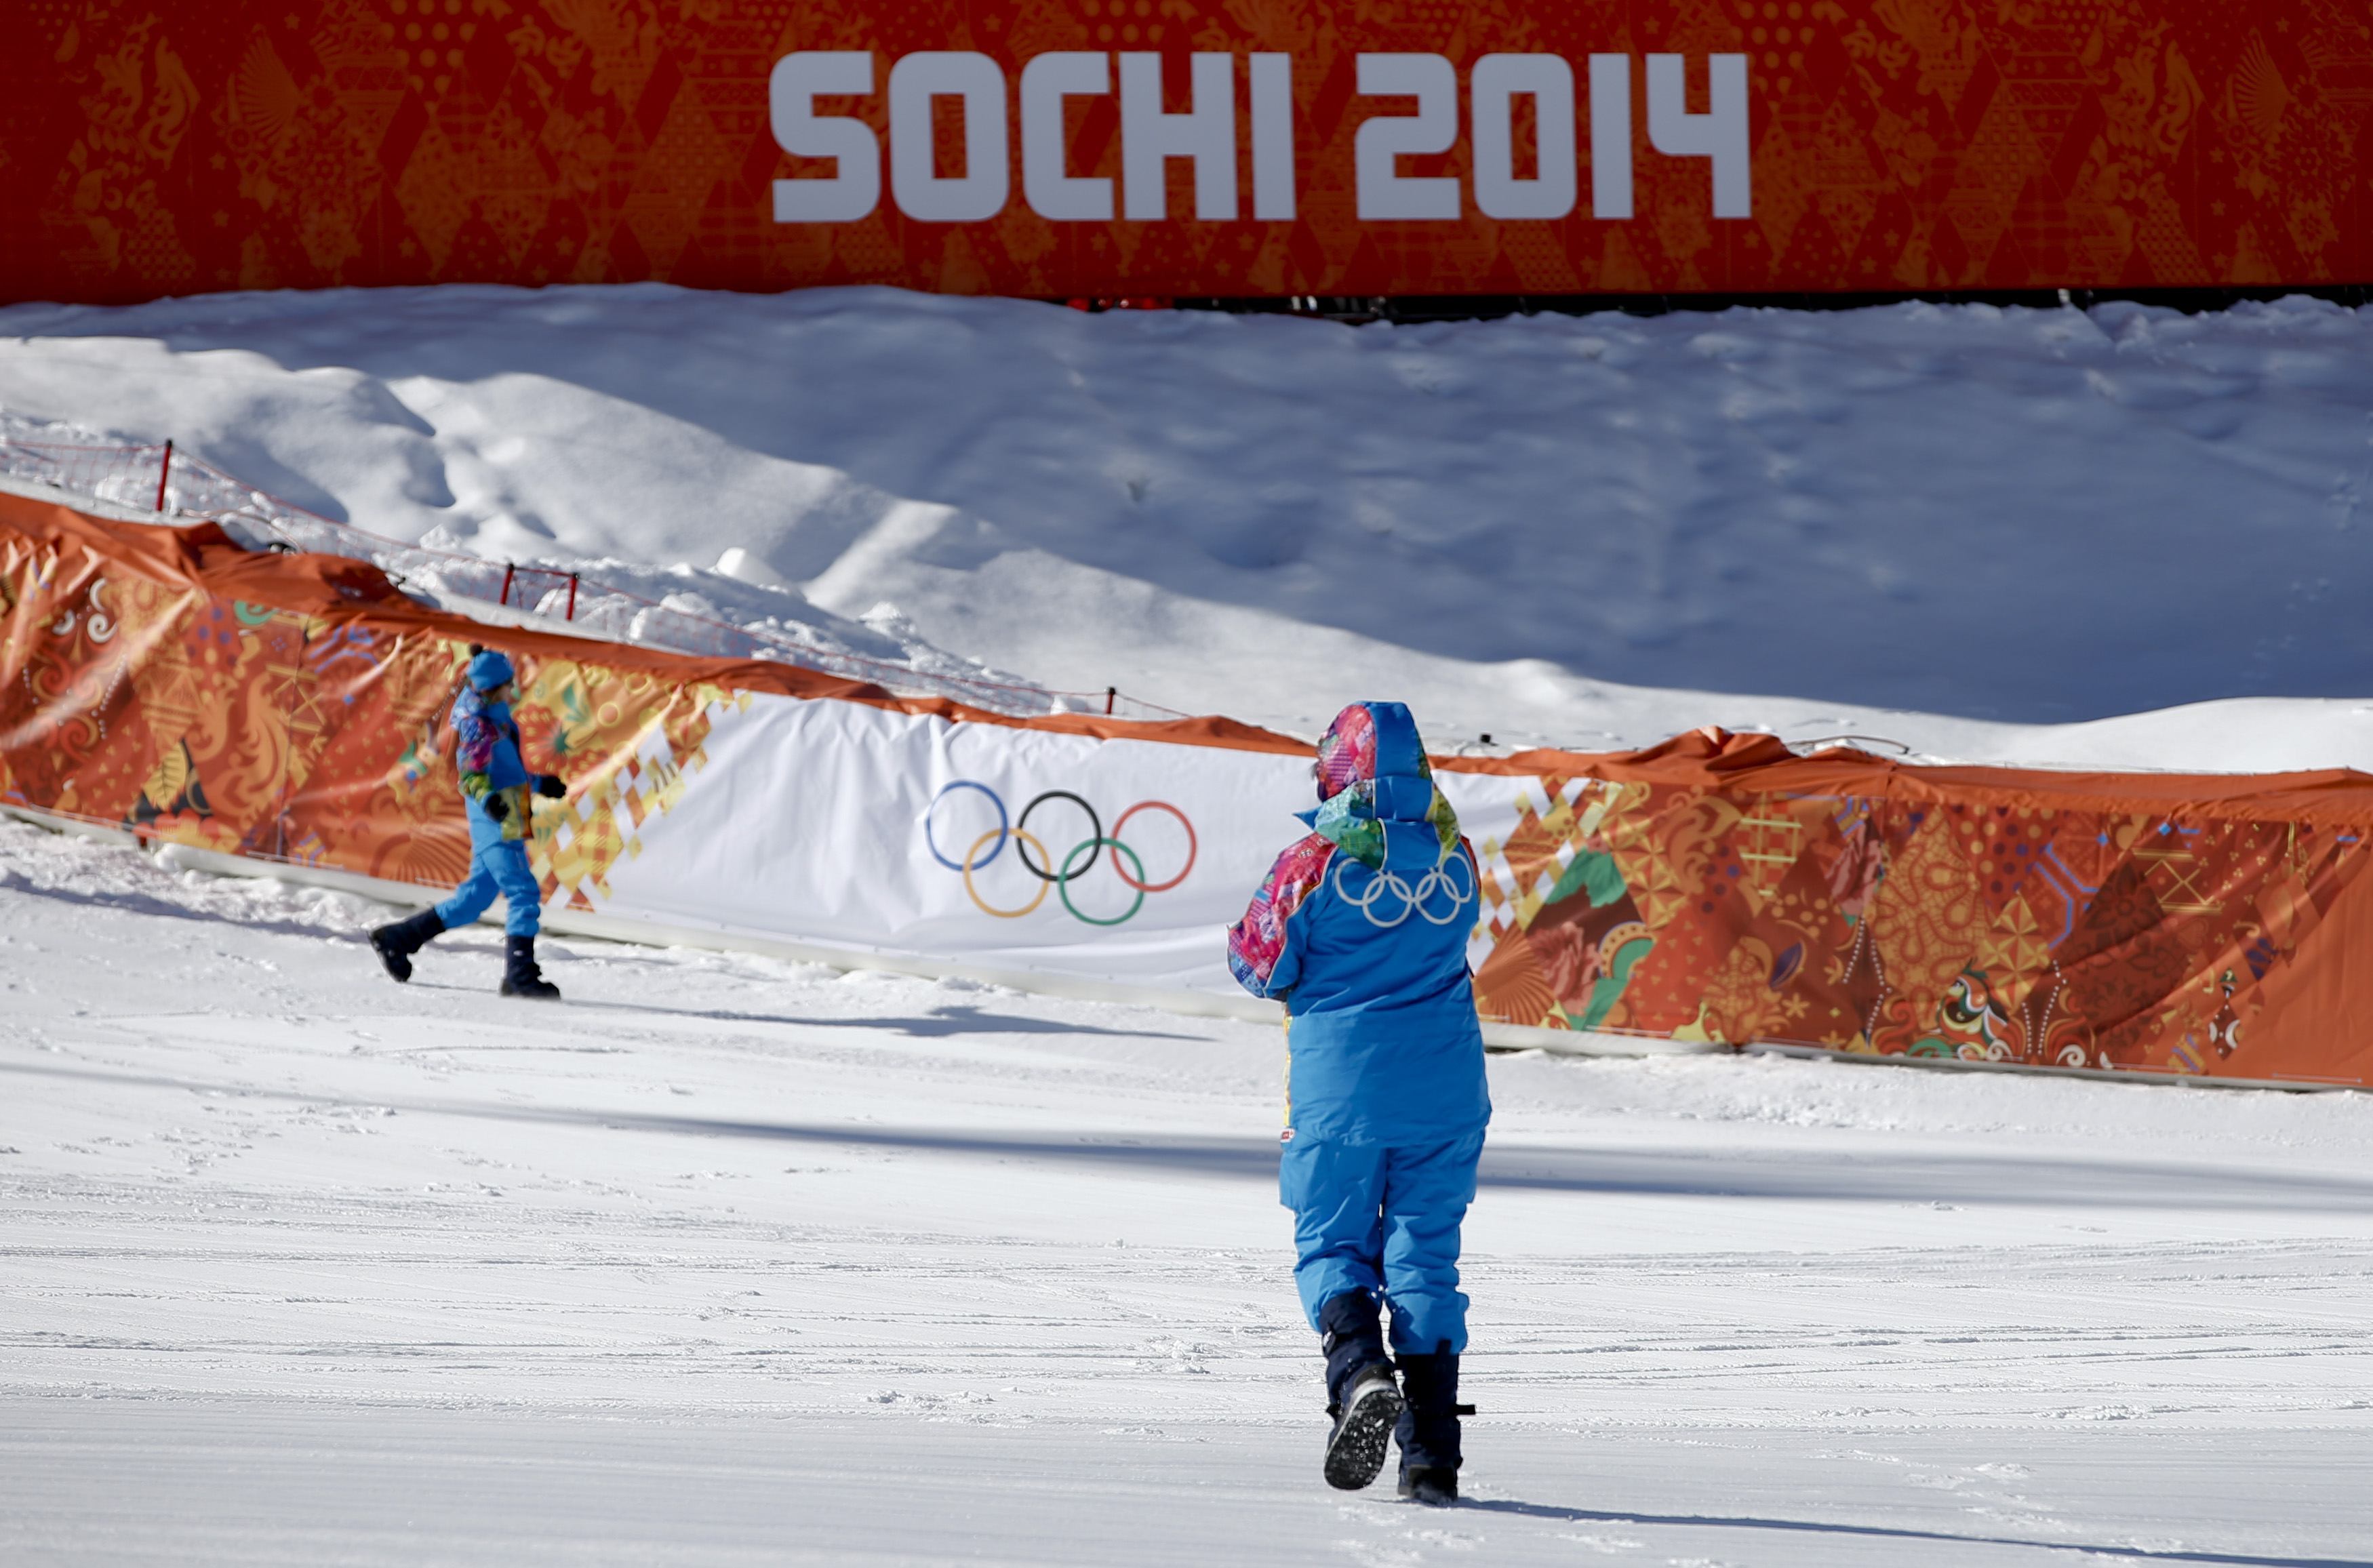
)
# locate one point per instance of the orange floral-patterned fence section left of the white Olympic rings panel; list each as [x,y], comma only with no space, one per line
[288,737]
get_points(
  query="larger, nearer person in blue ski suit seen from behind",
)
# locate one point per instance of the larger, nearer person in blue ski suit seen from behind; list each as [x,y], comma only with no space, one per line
[1361,931]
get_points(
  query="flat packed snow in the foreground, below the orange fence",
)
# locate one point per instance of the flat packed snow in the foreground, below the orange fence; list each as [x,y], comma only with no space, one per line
[742,1263]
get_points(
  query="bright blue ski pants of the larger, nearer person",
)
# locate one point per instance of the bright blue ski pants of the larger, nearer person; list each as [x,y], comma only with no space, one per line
[1387,1223]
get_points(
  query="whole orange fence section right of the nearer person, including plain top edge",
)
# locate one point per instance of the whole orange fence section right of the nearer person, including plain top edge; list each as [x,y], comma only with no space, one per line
[1722,888]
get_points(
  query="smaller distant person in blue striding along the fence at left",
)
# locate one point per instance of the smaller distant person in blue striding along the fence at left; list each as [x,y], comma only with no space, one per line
[495,789]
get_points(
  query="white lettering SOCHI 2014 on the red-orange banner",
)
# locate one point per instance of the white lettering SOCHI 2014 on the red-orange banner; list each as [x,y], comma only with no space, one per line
[1207,136]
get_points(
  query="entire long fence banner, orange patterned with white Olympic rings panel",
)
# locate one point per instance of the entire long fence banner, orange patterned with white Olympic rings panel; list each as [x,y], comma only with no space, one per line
[1717,888]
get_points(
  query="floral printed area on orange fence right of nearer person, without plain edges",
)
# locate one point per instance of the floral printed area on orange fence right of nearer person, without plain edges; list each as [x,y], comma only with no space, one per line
[1957,931]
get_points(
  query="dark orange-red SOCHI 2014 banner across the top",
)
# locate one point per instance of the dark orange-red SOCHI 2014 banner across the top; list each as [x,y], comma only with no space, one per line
[1185,148]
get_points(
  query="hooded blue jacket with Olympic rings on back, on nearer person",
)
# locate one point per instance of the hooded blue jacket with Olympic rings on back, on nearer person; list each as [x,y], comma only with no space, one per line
[1363,931]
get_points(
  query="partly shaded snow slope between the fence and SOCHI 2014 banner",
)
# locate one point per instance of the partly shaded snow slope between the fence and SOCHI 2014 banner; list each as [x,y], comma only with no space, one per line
[1930,525]
